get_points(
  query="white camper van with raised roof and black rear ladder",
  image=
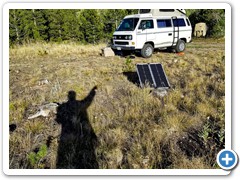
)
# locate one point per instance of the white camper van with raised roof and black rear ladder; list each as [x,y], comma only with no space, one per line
[152,29]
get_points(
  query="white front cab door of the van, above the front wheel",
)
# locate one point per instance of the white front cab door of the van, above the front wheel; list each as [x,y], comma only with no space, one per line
[145,33]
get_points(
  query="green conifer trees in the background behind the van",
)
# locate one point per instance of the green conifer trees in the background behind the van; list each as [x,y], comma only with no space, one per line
[87,25]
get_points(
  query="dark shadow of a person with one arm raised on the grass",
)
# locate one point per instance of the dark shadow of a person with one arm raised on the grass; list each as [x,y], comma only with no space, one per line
[78,141]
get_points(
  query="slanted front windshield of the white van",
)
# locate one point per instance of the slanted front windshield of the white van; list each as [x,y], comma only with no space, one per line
[128,24]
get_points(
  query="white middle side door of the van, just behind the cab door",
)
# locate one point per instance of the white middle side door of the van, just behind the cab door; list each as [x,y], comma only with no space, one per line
[164,33]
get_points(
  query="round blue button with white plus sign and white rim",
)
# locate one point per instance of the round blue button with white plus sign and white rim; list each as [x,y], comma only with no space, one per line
[227,159]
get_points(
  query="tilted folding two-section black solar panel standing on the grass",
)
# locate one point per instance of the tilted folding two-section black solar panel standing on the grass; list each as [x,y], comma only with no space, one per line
[153,74]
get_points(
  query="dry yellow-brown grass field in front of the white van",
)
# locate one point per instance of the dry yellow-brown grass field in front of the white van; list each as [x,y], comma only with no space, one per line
[125,126]
